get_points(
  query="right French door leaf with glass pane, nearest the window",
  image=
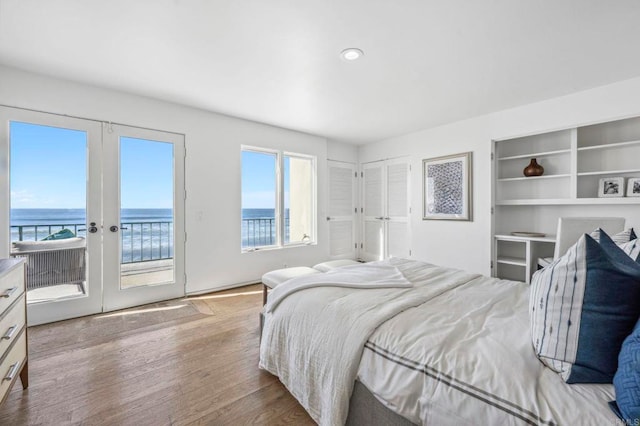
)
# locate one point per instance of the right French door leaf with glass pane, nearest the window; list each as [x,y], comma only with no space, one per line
[144,235]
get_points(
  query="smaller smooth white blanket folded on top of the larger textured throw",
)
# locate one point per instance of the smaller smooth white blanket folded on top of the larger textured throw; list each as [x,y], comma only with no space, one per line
[368,275]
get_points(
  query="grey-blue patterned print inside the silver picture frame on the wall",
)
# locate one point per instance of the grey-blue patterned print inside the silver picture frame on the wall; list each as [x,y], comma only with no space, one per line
[445,188]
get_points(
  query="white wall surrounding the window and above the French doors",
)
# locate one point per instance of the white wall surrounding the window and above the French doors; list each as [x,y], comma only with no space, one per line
[213,257]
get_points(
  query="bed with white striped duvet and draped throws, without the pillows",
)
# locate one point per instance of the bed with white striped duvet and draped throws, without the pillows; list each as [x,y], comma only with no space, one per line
[452,348]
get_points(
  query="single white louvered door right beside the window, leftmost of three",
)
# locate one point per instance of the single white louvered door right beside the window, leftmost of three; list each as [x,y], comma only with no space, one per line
[342,216]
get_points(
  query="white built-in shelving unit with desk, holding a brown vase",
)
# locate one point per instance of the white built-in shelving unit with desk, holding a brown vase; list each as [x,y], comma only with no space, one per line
[574,161]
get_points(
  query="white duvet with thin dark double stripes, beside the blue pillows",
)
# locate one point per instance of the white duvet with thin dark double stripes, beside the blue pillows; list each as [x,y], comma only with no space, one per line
[465,358]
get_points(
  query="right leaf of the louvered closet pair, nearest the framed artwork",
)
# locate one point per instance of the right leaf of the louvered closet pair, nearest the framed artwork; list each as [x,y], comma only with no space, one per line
[397,217]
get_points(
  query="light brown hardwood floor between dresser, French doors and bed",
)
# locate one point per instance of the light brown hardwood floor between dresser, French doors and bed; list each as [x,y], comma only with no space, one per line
[181,362]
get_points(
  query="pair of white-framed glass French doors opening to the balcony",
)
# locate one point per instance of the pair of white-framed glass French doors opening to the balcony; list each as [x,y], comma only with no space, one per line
[95,210]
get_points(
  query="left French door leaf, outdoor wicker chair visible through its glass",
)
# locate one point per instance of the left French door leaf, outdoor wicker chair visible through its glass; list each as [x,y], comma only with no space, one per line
[52,199]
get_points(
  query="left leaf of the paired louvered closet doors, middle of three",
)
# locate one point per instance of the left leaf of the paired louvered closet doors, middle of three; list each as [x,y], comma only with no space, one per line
[373,201]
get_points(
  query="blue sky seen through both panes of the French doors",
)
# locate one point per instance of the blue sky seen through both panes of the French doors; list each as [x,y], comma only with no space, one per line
[49,169]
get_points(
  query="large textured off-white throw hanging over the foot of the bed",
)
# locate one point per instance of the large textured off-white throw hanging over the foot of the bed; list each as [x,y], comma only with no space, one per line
[314,340]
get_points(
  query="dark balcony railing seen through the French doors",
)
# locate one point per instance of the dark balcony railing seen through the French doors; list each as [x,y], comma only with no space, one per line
[141,241]
